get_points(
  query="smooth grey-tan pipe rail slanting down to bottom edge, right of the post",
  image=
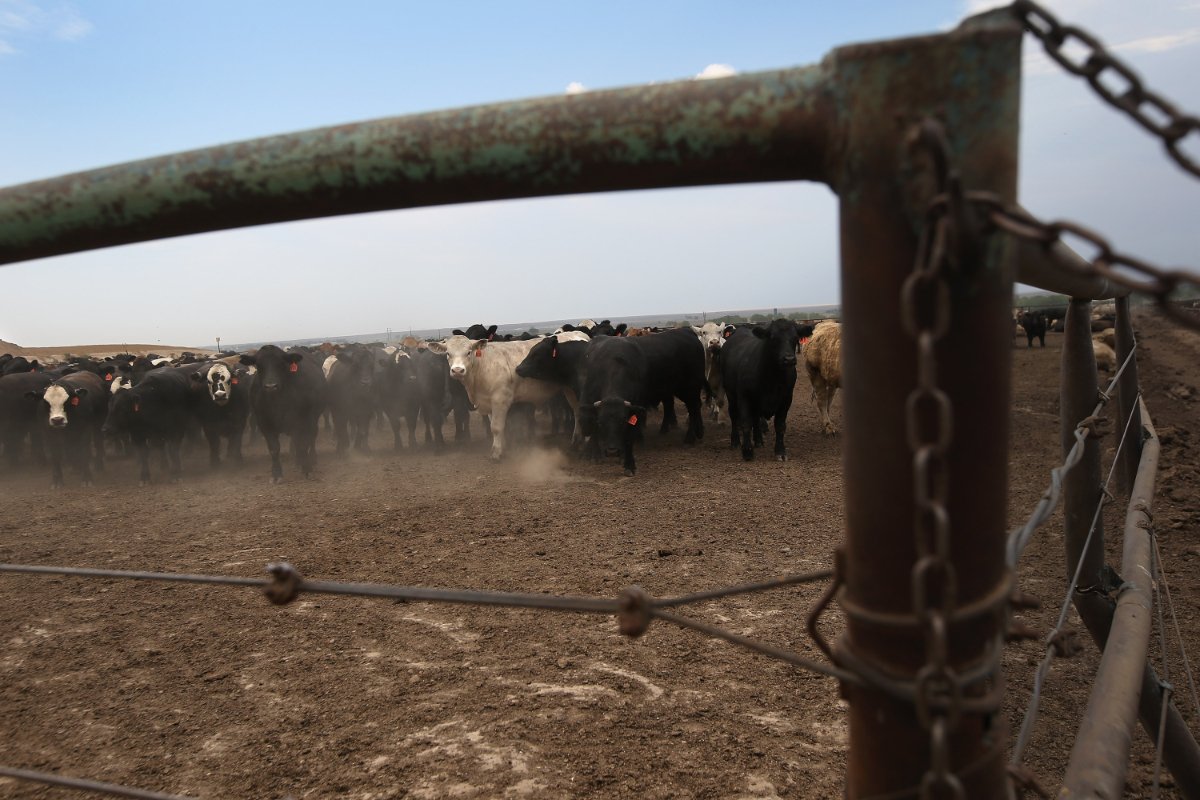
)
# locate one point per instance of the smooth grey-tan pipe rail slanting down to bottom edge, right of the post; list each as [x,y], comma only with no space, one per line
[1101,754]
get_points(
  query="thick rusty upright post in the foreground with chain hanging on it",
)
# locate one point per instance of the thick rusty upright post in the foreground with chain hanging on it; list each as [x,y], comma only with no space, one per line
[969,81]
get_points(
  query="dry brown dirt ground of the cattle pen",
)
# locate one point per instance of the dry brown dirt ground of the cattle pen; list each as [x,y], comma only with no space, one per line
[213,693]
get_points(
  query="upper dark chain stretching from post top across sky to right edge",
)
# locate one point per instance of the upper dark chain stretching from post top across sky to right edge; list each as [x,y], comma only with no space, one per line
[1150,110]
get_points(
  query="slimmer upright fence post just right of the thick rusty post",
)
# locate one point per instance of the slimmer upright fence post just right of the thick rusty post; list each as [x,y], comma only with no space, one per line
[1082,485]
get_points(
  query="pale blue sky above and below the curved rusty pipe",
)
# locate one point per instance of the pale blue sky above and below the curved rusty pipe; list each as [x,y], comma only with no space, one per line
[91,85]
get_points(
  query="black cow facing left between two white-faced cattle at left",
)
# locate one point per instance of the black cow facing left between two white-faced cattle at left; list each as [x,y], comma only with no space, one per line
[154,414]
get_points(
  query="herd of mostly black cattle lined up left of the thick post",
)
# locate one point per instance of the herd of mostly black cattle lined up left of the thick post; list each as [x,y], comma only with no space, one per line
[597,381]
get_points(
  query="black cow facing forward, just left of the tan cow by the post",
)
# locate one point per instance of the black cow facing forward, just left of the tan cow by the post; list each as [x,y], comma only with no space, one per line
[759,375]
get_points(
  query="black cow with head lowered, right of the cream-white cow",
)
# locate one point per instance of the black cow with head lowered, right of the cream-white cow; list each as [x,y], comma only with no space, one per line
[627,376]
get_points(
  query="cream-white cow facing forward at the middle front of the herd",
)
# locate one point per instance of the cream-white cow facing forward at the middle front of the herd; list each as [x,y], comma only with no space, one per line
[489,374]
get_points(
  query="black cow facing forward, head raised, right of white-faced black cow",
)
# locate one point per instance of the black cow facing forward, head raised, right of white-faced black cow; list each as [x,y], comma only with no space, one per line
[287,398]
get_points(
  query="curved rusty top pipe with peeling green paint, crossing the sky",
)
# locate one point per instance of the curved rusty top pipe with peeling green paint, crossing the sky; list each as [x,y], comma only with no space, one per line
[767,127]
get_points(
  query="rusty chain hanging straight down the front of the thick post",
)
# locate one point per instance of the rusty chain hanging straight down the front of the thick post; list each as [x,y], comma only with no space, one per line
[926,317]
